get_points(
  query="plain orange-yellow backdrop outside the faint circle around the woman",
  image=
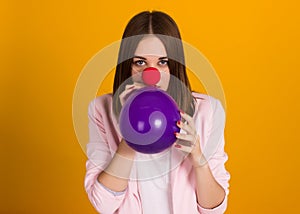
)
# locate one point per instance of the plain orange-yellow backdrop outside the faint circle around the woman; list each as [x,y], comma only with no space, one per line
[253,45]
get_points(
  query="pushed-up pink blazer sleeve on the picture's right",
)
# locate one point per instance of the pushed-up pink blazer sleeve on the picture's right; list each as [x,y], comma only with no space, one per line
[216,156]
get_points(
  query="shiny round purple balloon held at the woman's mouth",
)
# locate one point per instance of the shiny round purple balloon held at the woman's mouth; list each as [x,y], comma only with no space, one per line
[148,120]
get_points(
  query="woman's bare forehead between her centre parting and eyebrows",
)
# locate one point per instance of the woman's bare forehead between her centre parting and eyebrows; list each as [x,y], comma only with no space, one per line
[150,45]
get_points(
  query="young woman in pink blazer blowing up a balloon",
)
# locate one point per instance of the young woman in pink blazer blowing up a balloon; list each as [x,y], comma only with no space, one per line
[118,179]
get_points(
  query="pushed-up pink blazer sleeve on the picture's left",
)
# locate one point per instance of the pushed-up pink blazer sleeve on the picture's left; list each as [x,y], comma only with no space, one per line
[99,156]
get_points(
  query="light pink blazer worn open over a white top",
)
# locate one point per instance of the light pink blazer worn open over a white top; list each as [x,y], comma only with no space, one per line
[104,138]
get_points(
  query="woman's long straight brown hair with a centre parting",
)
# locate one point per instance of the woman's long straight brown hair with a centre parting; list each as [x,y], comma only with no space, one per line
[165,28]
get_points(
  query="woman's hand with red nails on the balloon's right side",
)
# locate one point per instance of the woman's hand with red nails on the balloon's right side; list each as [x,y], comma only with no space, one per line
[190,141]
